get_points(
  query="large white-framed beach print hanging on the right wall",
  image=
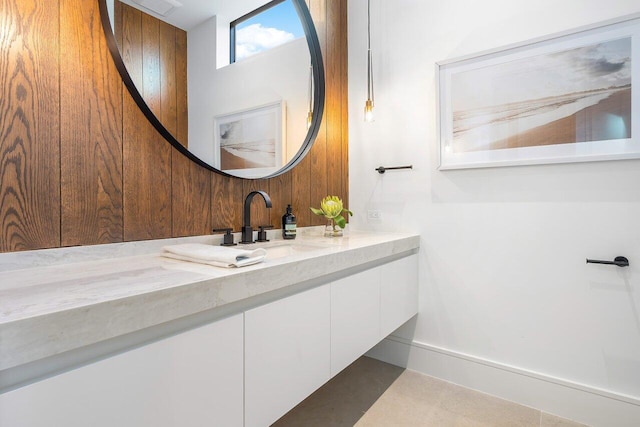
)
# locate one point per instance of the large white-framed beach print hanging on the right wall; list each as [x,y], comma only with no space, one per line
[566,98]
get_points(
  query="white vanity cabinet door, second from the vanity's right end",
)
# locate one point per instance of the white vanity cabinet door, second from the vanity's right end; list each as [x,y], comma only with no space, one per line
[355,317]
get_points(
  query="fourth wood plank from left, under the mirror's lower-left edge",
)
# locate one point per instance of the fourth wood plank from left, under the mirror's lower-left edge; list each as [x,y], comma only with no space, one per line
[191,196]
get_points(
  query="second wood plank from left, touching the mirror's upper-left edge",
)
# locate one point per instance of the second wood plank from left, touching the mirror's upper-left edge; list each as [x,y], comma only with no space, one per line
[91,131]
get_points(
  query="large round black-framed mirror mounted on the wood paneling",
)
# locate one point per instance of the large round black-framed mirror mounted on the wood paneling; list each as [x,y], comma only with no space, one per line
[237,86]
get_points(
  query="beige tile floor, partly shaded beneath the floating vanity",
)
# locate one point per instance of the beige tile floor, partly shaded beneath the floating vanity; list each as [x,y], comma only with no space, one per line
[370,393]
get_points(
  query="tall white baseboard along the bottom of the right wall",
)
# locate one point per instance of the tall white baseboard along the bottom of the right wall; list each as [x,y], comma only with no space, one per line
[585,404]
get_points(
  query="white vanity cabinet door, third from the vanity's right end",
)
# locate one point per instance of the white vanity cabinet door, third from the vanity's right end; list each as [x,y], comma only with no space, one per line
[286,354]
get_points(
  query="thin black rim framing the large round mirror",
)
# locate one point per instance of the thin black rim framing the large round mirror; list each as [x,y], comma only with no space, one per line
[318,90]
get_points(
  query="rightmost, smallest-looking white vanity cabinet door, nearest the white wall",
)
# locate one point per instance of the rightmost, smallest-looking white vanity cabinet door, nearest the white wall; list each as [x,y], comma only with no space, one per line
[398,293]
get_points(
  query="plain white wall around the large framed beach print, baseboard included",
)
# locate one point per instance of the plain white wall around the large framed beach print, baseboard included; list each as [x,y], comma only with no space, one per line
[503,280]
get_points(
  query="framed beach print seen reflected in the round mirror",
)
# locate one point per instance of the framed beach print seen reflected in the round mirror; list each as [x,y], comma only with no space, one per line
[251,143]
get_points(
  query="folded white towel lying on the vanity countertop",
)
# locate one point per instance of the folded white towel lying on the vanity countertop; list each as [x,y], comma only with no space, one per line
[219,256]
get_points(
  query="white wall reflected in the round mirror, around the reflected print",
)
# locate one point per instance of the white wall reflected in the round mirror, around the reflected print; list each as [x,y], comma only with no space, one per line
[281,73]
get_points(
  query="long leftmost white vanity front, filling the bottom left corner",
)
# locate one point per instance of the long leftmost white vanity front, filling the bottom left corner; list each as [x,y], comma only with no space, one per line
[190,379]
